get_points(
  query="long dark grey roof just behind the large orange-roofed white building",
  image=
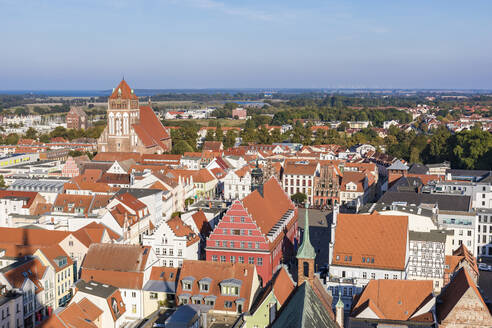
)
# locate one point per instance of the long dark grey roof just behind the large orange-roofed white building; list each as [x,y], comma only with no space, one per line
[444,202]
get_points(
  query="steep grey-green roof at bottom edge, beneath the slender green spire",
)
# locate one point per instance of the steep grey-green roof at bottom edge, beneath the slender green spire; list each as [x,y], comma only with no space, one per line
[304,310]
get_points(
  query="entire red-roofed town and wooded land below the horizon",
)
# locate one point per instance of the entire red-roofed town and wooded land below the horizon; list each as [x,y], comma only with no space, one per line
[246,208]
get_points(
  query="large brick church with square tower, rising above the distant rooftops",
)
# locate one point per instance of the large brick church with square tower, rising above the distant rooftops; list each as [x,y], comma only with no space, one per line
[131,127]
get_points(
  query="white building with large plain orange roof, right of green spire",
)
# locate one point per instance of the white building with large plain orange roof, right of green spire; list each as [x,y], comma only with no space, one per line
[381,252]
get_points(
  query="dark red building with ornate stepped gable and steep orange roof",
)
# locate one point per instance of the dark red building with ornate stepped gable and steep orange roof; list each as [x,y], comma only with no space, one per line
[261,229]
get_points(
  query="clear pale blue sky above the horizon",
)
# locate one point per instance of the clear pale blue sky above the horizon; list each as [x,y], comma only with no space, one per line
[90,44]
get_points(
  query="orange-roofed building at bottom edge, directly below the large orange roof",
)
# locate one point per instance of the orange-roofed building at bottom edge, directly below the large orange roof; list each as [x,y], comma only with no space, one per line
[405,303]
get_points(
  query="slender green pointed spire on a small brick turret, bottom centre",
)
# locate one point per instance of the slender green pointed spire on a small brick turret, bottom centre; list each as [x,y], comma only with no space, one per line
[305,254]
